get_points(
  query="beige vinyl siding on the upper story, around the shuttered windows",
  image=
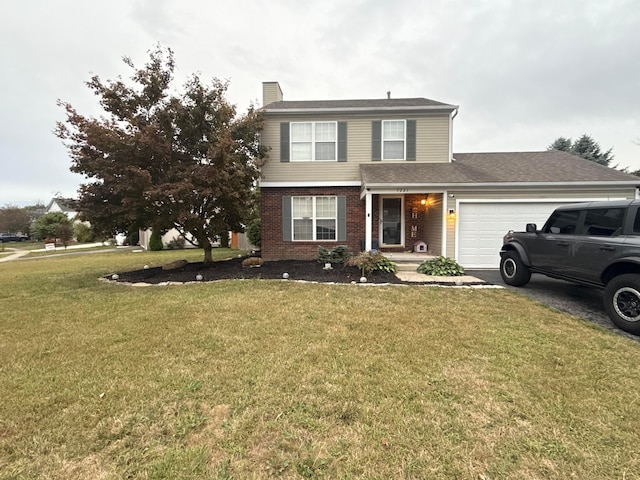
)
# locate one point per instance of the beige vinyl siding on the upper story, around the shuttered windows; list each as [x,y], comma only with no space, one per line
[432,145]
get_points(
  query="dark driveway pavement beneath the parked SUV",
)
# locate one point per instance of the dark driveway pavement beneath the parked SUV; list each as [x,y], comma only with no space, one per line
[578,300]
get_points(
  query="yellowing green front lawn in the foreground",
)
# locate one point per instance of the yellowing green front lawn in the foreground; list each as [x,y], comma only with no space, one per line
[270,379]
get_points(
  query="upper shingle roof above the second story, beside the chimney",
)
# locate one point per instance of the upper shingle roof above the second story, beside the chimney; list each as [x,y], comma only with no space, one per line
[403,104]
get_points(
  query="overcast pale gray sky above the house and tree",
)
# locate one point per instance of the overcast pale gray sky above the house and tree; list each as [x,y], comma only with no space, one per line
[523,72]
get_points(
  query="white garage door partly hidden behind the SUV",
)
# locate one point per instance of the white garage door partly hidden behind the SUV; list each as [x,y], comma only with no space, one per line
[481,227]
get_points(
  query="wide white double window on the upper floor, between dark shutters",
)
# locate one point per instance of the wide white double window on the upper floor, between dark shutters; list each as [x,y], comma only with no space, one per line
[314,141]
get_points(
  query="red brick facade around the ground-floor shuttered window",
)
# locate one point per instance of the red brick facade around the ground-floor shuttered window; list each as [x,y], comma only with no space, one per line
[275,248]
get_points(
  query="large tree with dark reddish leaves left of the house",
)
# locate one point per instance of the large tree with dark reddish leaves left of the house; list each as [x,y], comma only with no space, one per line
[160,159]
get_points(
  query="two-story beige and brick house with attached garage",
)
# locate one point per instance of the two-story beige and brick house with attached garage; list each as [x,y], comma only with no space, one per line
[381,174]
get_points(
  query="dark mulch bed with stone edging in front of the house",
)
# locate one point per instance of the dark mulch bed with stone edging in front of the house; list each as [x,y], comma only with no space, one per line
[308,270]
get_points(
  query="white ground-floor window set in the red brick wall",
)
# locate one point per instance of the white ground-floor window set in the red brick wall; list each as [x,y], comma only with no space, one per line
[314,218]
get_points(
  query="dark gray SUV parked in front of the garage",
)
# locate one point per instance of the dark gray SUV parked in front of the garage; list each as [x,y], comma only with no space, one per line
[596,243]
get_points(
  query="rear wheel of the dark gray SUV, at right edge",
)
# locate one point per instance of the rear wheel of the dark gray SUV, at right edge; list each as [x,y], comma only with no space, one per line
[622,302]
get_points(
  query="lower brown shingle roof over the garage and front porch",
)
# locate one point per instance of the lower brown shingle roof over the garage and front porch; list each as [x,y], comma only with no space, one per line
[547,167]
